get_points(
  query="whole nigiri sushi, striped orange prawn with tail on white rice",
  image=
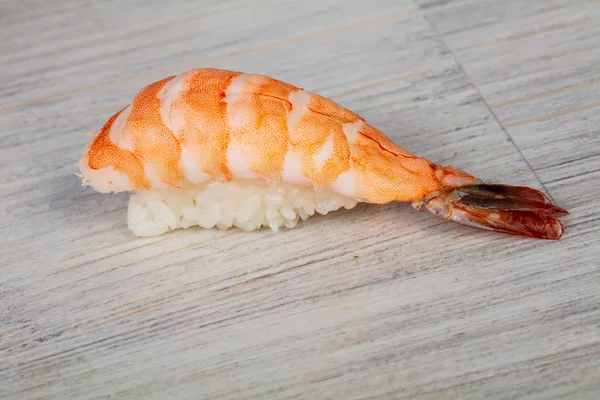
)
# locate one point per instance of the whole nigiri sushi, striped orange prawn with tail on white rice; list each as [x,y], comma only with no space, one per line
[219,148]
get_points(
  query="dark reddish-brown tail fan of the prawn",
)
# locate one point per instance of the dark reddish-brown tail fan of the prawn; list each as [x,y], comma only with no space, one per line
[514,210]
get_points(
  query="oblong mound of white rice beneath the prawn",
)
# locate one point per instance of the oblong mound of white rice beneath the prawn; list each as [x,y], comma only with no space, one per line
[247,204]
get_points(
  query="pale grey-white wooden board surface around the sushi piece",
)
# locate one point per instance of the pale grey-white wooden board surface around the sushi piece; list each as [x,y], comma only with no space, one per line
[377,302]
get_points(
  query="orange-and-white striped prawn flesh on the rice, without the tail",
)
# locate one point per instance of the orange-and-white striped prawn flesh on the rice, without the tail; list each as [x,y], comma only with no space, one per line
[216,124]
